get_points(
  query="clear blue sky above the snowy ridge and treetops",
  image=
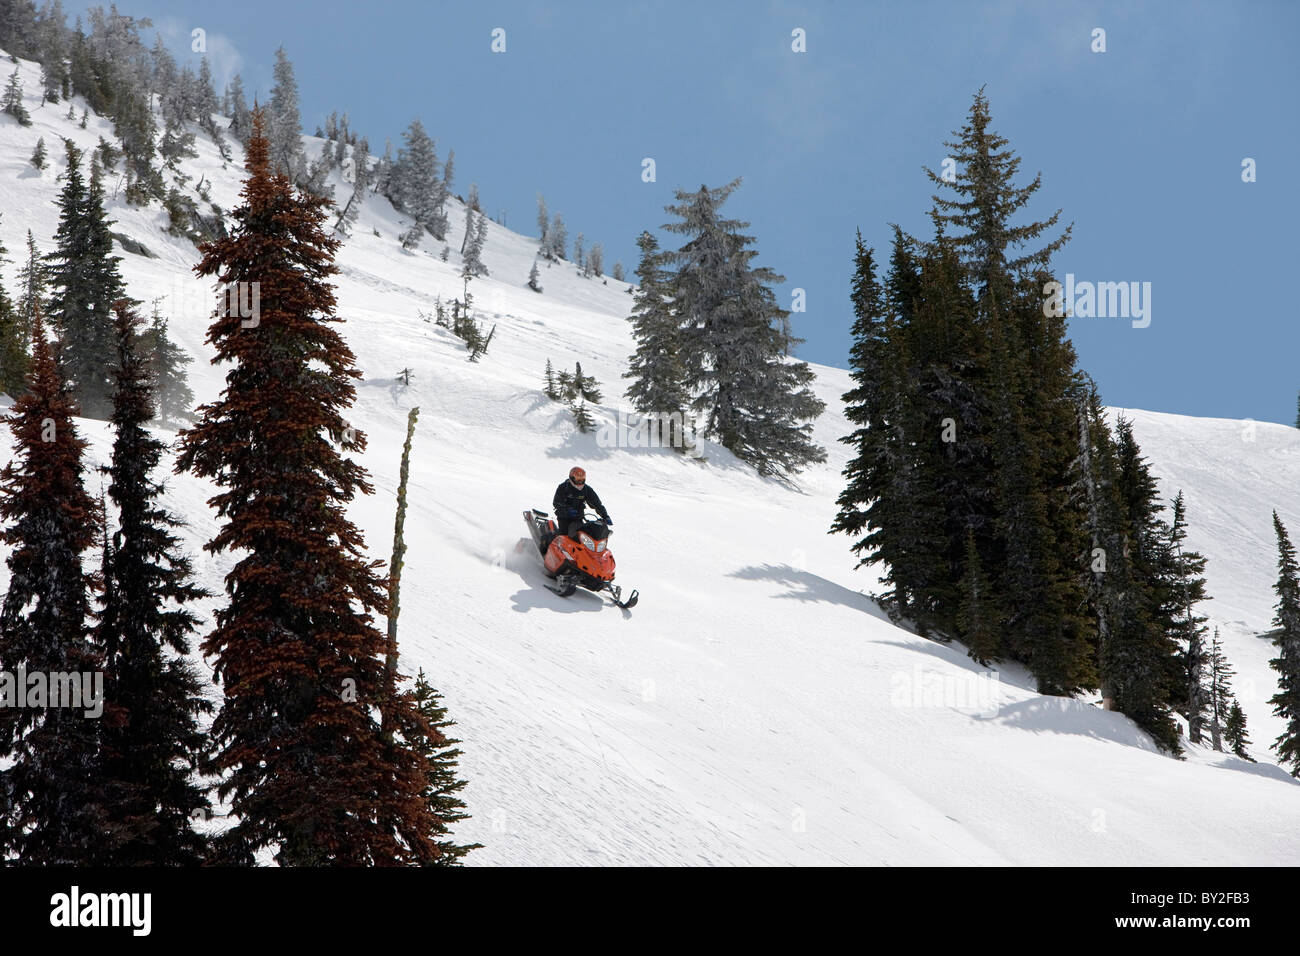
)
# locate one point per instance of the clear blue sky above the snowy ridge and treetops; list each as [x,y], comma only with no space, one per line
[1142,146]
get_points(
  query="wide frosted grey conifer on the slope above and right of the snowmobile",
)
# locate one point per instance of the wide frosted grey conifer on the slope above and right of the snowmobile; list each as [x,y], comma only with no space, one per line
[752,399]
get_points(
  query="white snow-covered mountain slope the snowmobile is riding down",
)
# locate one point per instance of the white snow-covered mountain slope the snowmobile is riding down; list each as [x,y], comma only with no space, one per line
[756,708]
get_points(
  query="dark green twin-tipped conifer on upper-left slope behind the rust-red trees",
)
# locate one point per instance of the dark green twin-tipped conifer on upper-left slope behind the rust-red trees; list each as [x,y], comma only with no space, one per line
[85,282]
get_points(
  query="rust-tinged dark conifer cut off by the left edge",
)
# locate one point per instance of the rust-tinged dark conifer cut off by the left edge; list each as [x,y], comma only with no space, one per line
[54,804]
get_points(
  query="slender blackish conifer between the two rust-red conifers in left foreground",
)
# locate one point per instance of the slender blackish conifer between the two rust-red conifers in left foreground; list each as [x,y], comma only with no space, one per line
[153,746]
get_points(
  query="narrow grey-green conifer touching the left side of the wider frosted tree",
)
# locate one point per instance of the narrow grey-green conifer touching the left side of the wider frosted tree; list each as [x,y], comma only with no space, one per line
[657,370]
